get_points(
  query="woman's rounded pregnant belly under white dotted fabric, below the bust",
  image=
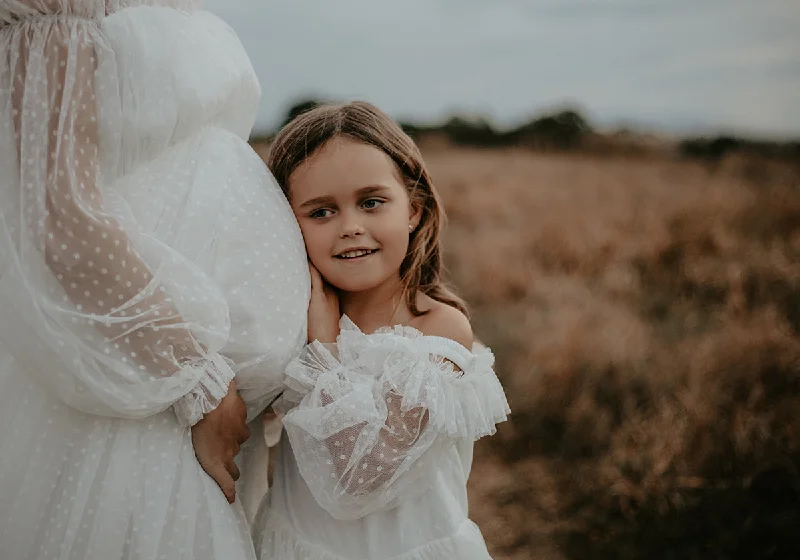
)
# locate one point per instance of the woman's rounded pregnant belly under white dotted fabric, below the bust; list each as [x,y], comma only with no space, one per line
[212,199]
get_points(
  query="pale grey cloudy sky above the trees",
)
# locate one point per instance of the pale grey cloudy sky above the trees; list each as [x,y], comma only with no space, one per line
[670,65]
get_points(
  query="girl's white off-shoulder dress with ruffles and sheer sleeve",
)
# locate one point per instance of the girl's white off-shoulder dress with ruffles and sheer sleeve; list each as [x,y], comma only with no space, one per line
[380,434]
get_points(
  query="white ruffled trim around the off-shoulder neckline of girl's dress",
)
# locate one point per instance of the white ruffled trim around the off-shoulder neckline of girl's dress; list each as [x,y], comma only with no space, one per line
[466,405]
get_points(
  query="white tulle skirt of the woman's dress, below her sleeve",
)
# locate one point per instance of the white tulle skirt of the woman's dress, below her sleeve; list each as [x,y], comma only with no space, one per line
[80,487]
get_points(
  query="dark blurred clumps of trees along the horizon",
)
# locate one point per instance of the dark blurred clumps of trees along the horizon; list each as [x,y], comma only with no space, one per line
[567,130]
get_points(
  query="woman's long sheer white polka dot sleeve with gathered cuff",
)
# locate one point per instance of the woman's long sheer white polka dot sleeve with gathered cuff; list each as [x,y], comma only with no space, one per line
[133,327]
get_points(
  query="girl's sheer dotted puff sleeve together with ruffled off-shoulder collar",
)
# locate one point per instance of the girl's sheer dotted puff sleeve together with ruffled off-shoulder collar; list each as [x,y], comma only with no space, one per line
[373,412]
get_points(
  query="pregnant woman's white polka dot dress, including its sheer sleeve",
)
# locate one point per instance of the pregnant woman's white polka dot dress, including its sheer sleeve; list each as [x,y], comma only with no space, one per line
[146,258]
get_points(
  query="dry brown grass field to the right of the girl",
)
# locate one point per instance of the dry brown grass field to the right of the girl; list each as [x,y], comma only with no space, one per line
[645,315]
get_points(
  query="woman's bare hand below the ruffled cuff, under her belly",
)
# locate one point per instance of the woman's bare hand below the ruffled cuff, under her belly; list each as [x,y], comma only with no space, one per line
[217,439]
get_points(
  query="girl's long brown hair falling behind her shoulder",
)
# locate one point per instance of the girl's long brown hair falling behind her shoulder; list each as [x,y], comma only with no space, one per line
[306,134]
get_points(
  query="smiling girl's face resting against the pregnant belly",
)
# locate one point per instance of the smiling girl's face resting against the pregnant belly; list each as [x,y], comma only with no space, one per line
[354,213]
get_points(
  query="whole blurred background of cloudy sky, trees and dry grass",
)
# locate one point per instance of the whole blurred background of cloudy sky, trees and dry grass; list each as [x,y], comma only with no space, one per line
[623,185]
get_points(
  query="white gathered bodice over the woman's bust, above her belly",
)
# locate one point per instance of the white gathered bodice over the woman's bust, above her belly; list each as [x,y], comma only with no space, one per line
[177,73]
